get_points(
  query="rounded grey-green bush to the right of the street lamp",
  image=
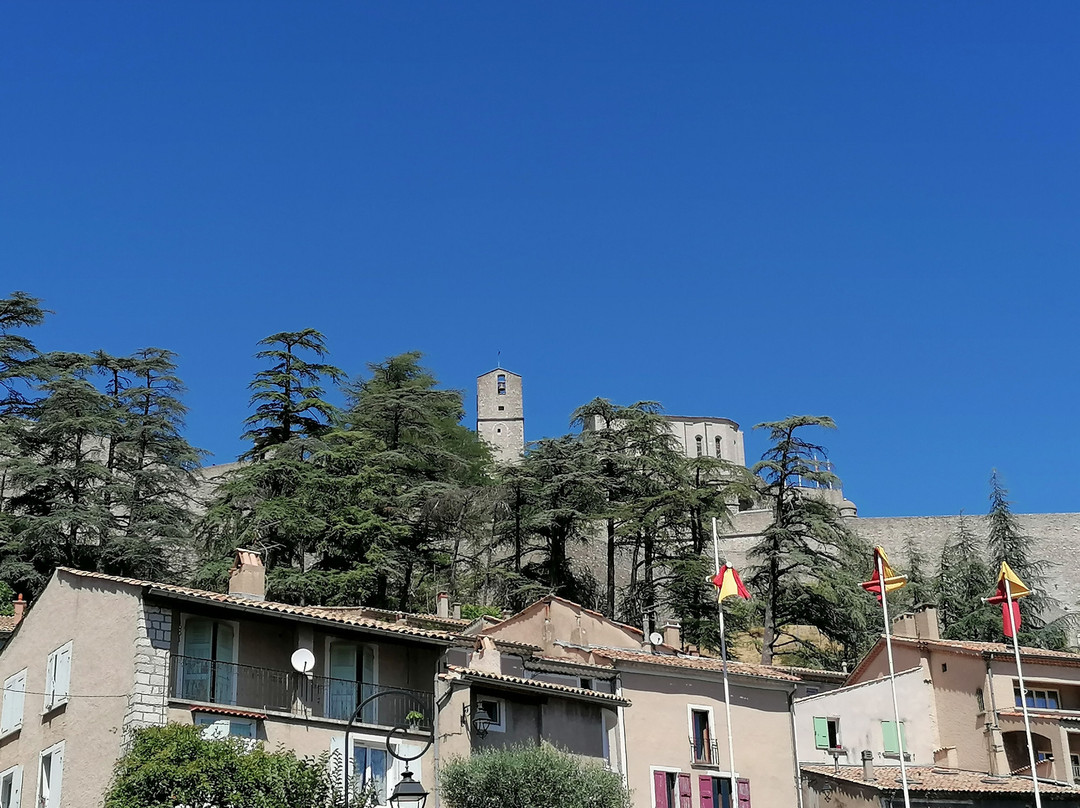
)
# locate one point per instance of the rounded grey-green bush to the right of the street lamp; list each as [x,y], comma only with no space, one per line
[530,777]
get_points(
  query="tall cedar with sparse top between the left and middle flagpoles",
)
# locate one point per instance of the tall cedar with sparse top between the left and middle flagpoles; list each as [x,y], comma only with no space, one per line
[807,565]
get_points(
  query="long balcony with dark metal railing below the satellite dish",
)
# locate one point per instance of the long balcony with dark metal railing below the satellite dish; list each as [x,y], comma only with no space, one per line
[207,682]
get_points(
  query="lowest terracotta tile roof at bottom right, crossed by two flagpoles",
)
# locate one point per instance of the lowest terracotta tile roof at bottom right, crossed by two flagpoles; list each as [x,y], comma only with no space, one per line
[938,779]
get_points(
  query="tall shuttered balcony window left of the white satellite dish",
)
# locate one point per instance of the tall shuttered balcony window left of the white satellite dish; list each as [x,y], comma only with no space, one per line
[208,666]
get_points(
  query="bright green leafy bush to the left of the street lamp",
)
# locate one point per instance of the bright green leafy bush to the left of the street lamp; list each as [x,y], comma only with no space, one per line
[175,765]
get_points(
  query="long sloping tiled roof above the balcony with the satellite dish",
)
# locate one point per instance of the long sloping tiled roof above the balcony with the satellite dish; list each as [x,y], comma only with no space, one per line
[330,615]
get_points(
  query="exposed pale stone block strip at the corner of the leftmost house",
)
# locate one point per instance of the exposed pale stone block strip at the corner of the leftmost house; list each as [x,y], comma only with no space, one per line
[147,706]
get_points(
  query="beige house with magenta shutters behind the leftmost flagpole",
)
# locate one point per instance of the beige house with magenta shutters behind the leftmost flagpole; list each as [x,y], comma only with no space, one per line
[672,742]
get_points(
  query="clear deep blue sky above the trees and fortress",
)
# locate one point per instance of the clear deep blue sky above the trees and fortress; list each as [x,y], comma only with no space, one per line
[744,210]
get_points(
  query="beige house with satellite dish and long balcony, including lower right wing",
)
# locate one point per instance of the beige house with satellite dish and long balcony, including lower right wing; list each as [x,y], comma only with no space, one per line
[99,656]
